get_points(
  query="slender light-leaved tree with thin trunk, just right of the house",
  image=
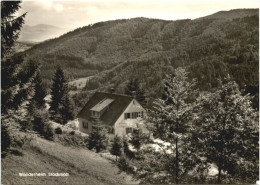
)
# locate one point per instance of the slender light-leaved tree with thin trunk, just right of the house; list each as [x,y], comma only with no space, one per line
[171,115]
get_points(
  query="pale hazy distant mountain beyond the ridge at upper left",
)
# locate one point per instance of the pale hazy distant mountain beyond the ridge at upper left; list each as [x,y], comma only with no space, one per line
[40,32]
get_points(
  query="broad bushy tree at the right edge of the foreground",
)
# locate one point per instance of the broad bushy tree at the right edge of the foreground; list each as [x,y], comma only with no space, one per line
[226,134]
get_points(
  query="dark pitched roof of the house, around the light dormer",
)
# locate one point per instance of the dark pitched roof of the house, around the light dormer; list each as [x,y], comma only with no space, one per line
[116,108]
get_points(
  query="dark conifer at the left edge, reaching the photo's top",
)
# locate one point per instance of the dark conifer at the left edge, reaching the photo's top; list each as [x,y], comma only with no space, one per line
[16,73]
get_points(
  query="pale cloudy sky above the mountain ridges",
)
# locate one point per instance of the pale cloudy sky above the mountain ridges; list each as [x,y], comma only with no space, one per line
[73,14]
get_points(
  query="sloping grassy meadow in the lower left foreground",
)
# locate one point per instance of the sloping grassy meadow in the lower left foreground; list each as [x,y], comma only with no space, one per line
[42,156]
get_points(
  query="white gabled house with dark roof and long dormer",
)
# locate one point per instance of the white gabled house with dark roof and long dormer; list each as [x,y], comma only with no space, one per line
[120,114]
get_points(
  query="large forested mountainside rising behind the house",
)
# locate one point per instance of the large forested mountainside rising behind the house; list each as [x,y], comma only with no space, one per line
[114,51]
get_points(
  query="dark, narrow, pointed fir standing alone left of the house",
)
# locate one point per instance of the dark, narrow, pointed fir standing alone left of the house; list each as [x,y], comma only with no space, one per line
[61,109]
